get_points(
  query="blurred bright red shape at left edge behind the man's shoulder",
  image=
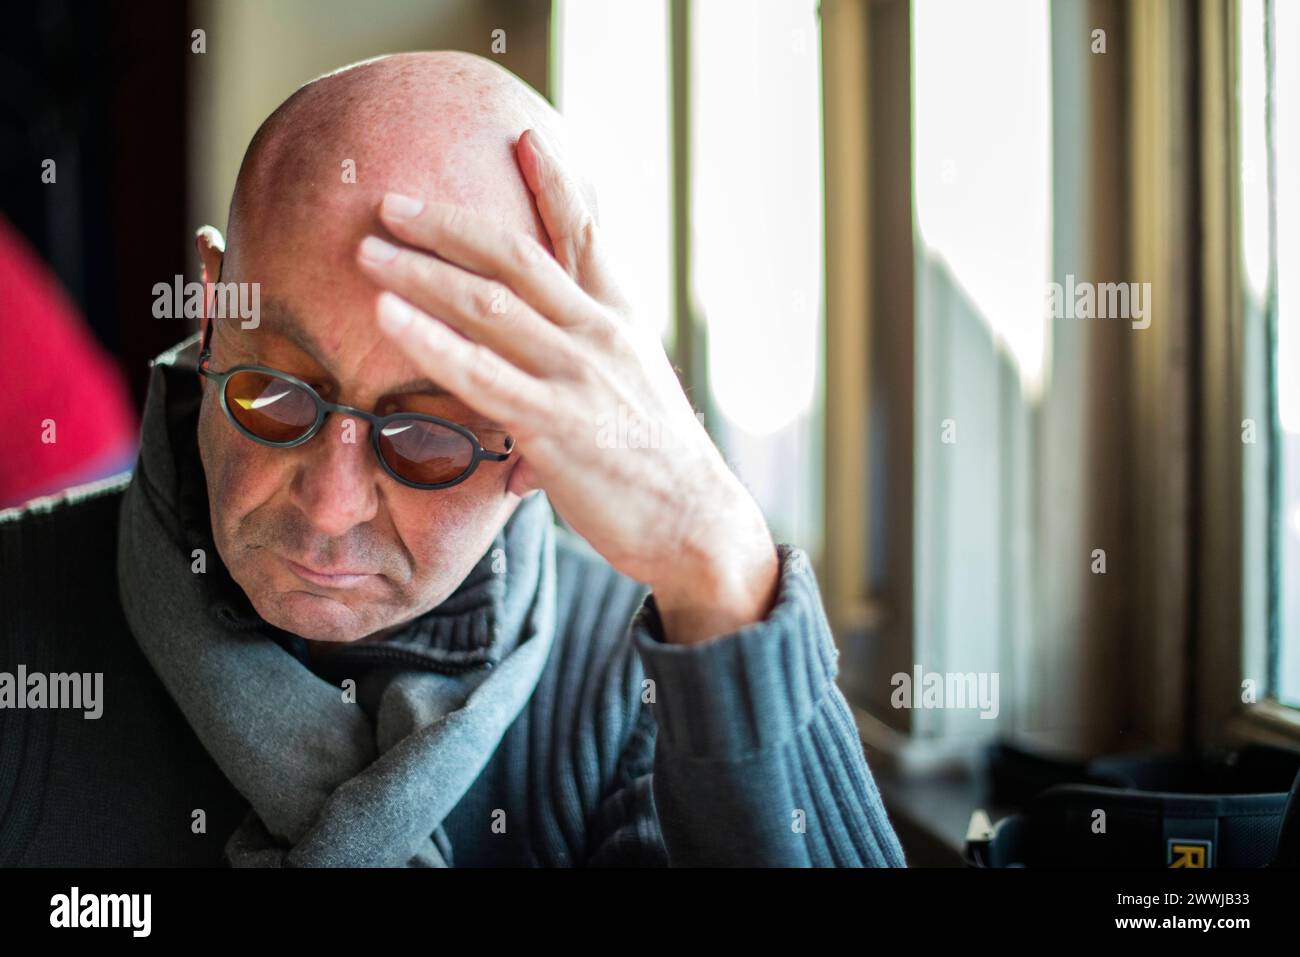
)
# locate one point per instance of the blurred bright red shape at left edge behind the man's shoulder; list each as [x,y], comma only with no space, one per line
[53,369]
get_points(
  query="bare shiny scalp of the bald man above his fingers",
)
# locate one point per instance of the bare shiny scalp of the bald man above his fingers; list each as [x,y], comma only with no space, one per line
[436,125]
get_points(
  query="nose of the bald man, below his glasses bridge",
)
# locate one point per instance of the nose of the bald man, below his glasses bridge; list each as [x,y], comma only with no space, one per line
[337,477]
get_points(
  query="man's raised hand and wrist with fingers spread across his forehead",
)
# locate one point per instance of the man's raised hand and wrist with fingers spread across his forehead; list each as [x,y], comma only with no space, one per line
[547,347]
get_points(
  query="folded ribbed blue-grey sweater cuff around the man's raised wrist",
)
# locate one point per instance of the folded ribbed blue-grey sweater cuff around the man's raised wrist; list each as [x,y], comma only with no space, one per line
[751,690]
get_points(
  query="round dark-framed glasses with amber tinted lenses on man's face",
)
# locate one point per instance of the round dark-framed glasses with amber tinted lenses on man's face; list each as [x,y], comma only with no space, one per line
[283,412]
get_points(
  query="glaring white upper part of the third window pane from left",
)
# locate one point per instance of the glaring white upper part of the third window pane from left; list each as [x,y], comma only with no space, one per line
[983,164]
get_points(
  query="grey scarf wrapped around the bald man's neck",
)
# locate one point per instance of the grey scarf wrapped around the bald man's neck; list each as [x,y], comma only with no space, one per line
[331,783]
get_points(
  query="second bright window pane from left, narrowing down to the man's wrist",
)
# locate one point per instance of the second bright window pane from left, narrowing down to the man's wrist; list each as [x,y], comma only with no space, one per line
[757,218]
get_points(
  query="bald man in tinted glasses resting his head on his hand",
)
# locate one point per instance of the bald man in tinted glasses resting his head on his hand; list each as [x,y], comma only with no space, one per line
[332,620]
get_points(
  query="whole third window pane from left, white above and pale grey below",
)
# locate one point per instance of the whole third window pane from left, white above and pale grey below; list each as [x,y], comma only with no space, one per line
[982,179]
